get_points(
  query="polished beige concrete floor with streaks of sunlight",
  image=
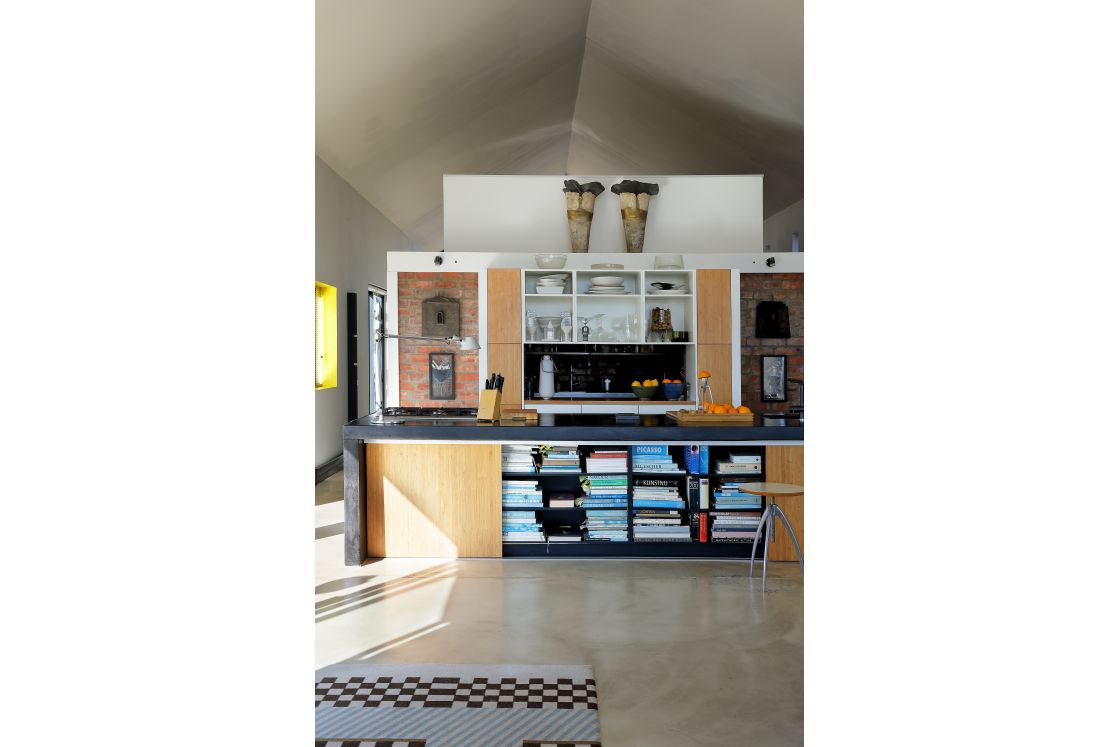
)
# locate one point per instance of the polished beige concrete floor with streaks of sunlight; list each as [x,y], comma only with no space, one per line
[685,652]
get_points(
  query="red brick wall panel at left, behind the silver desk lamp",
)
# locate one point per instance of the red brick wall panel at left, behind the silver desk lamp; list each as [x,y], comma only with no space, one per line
[413,288]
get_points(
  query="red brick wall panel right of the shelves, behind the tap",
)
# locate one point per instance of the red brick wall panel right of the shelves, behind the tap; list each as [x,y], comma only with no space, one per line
[790,290]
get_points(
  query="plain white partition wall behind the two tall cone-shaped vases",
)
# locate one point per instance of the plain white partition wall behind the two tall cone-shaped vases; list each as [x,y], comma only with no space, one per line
[527,214]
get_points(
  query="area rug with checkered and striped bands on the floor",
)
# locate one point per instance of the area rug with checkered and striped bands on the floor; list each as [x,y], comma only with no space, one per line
[455,706]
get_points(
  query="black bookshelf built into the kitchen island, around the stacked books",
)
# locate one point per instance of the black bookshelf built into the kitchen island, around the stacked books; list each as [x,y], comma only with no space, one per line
[571,482]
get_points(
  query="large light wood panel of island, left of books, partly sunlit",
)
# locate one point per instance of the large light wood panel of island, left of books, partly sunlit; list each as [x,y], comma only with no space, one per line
[434,500]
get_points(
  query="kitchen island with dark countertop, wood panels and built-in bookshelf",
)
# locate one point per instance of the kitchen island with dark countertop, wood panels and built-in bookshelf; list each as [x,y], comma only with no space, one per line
[434,488]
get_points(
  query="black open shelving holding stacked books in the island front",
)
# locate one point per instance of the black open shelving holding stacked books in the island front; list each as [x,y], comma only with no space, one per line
[570,482]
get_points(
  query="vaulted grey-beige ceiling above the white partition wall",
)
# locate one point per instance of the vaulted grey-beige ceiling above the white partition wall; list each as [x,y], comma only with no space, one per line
[410,90]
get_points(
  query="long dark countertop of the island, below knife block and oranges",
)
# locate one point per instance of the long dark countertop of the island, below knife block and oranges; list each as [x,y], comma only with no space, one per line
[582,428]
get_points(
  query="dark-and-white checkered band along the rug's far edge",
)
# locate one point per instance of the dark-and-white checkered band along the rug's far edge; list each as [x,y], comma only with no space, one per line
[359,692]
